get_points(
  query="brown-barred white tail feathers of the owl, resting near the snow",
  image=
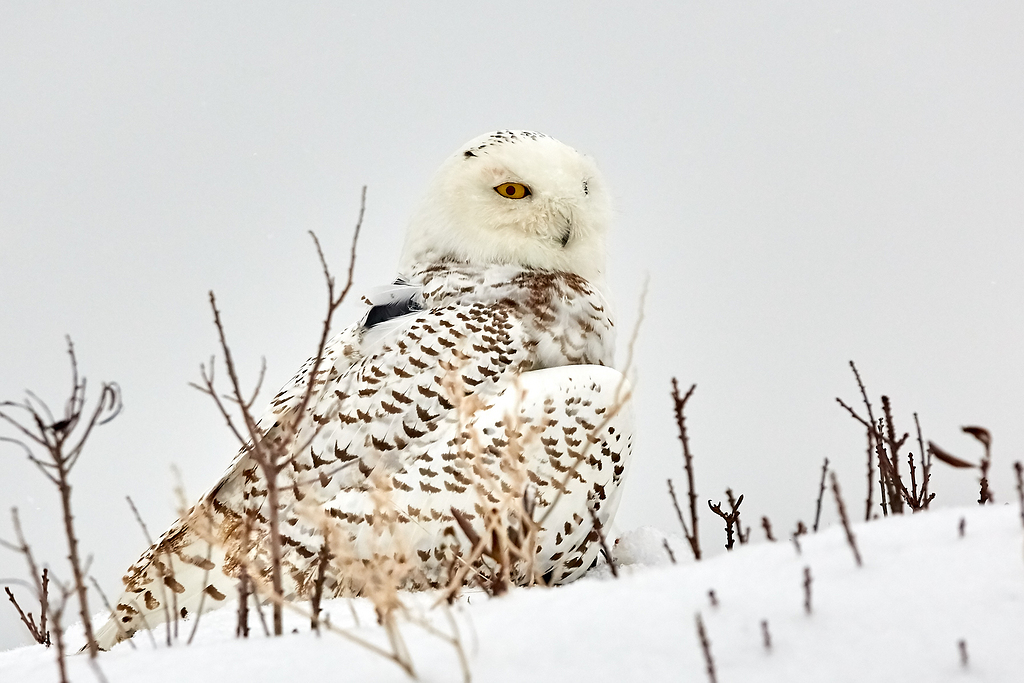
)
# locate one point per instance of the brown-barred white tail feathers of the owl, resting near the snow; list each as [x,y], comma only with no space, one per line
[179,578]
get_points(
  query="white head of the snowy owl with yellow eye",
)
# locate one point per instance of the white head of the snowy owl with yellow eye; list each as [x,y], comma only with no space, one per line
[515,198]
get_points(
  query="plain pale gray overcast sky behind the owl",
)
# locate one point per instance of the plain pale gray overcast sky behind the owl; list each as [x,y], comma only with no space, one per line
[804,185]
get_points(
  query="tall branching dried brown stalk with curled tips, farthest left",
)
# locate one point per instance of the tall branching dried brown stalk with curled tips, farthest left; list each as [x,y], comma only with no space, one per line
[55,445]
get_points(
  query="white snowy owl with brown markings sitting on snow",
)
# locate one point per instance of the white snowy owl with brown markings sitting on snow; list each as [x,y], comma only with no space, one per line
[476,386]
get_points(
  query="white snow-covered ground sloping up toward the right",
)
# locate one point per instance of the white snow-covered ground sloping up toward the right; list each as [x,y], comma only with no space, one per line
[900,618]
